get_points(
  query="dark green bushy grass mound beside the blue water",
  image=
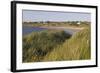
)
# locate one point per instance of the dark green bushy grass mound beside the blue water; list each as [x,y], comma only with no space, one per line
[38,44]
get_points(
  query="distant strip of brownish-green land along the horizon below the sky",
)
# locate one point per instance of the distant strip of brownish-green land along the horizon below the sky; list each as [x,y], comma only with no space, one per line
[64,24]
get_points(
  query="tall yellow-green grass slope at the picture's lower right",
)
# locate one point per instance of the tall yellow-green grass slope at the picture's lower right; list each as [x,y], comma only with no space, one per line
[76,48]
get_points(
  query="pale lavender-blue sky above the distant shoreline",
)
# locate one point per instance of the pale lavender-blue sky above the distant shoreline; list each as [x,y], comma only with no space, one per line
[35,16]
